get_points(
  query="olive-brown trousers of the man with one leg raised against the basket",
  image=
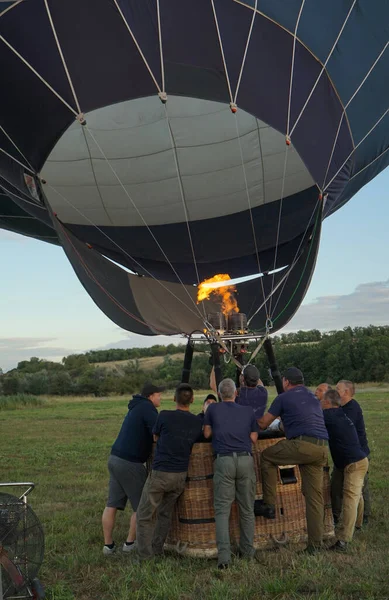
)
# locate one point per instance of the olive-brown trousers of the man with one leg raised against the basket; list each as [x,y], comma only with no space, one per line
[311,459]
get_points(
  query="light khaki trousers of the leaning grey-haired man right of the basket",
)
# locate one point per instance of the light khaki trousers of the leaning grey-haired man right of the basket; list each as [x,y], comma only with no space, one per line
[353,478]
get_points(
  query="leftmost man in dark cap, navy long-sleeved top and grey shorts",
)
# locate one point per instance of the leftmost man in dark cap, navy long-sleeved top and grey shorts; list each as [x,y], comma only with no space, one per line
[126,466]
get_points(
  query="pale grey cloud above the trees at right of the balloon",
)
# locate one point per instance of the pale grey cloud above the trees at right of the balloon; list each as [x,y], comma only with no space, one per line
[368,304]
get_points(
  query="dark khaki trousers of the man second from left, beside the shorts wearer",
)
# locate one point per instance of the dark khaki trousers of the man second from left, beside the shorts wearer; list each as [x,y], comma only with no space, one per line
[153,517]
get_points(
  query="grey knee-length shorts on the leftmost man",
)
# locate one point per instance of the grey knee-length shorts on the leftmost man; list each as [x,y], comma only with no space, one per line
[125,483]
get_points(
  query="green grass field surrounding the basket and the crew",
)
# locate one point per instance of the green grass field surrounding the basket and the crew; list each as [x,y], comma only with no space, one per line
[63,446]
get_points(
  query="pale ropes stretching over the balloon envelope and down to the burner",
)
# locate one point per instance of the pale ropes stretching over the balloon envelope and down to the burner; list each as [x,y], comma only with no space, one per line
[233,100]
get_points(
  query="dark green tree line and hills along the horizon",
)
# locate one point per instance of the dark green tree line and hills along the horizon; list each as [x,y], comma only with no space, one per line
[359,354]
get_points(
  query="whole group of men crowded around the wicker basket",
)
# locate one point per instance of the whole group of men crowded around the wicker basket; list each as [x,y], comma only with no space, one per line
[311,423]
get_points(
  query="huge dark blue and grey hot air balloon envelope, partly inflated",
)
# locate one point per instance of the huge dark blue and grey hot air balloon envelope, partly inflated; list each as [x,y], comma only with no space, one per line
[163,142]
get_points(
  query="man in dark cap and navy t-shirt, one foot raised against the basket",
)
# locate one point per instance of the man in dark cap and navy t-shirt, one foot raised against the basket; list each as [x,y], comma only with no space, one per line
[306,445]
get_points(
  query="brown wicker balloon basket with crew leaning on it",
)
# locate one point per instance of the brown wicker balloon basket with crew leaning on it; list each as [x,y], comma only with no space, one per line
[193,532]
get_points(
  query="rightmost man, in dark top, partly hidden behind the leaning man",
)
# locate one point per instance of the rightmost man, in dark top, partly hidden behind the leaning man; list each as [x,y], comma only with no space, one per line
[352,409]
